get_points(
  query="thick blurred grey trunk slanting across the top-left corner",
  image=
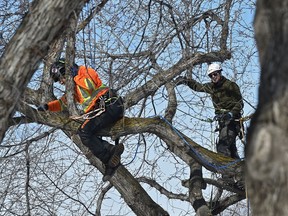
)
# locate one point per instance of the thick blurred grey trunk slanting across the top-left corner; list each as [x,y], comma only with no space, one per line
[41,26]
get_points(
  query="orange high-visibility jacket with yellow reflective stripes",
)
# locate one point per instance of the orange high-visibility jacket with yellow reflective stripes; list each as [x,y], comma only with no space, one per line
[88,89]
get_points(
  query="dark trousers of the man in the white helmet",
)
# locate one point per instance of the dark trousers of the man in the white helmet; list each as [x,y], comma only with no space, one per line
[226,145]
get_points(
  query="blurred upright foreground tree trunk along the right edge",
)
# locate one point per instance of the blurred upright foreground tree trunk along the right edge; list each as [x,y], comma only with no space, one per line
[267,141]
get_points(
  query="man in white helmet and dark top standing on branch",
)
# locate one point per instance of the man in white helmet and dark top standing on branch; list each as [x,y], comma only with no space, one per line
[228,105]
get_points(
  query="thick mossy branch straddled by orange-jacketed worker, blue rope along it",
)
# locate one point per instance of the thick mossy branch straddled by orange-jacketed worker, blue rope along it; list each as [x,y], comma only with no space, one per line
[178,143]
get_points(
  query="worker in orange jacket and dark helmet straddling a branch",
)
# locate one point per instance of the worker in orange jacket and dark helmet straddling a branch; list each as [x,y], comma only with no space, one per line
[101,107]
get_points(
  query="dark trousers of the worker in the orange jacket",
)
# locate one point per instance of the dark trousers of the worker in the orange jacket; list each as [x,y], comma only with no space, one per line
[99,147]
